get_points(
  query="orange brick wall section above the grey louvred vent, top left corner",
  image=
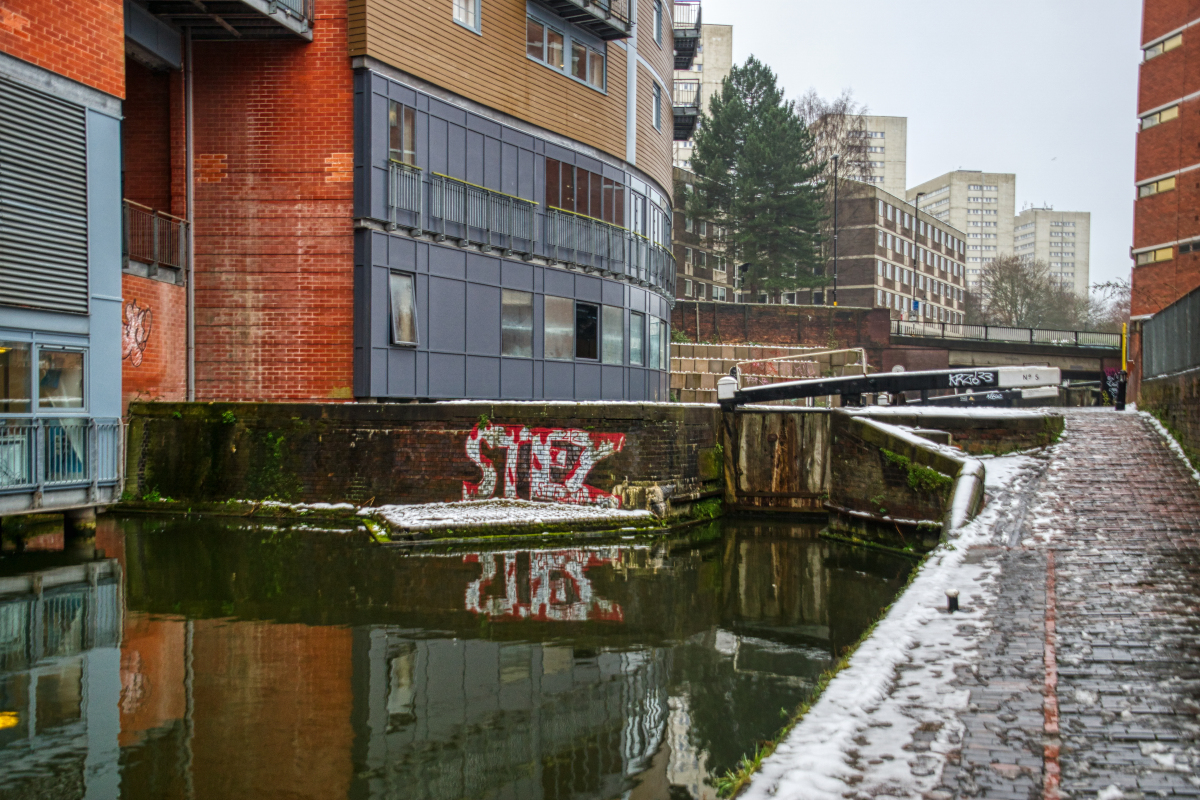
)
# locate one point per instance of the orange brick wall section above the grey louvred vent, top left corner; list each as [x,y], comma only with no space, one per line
[82,40]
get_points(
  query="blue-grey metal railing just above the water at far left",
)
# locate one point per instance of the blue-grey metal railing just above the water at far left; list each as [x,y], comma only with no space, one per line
[59,453]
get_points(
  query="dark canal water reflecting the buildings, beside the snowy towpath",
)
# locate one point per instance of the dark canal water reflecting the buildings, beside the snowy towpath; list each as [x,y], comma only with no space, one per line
[202,659]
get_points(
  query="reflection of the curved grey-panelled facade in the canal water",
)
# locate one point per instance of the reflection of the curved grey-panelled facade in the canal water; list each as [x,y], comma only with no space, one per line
[475,719]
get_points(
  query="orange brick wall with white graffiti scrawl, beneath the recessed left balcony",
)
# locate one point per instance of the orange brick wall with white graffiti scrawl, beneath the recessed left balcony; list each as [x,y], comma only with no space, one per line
[154,341]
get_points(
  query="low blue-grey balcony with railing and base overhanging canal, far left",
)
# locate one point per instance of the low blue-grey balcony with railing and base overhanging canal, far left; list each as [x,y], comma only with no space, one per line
[59,464]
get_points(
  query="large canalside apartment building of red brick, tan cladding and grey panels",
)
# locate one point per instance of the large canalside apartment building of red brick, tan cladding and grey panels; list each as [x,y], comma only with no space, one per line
[321,206]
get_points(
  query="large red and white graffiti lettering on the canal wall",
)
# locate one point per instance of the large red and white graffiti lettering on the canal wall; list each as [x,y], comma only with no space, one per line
[560,460]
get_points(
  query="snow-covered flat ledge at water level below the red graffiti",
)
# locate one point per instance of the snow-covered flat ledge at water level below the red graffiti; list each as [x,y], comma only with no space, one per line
[497,514]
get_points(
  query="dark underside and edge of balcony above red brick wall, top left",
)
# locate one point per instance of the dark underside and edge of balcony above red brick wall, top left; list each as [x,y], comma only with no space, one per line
[233,21]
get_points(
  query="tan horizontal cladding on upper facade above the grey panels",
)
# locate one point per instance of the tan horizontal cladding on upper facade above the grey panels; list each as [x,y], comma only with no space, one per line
[422,39]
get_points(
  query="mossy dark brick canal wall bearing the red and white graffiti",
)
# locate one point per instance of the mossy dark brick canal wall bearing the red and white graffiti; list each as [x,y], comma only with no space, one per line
[657,456]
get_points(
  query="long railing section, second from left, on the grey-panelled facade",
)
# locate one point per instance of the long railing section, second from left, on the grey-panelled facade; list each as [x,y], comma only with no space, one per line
[482,215]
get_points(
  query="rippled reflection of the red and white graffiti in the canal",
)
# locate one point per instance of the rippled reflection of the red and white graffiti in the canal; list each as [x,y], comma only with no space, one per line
[544,586]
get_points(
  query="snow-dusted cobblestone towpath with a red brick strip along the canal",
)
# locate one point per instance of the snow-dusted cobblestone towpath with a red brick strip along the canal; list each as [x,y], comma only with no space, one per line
[1073,671]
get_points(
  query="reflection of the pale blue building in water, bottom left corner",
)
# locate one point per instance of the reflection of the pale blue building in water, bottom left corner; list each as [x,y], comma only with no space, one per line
[61,631]
